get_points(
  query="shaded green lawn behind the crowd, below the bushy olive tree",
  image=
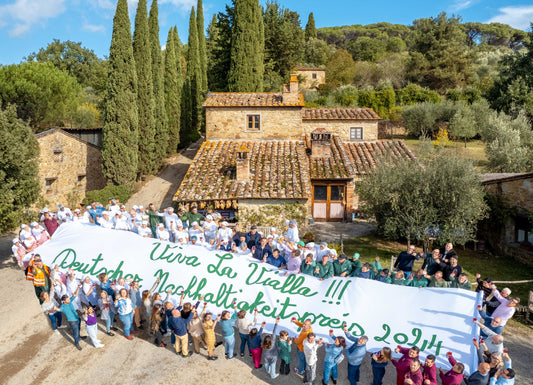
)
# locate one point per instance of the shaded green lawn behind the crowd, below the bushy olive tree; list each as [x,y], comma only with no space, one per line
[472,262]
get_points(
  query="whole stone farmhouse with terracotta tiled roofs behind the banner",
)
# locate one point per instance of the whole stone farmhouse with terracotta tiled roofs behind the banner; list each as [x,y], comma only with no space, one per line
[265,148]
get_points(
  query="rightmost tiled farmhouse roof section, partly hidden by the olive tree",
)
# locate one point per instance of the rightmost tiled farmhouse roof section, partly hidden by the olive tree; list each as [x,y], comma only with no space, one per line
[365,155]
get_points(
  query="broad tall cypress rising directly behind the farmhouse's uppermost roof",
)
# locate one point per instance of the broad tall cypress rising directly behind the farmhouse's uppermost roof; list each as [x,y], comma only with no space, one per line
[247,48]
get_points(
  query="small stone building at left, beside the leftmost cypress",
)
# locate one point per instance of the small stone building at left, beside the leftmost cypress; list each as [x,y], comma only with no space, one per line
[68,167]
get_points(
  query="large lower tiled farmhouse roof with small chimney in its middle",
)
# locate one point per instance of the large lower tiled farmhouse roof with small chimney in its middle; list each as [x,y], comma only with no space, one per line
[278,170]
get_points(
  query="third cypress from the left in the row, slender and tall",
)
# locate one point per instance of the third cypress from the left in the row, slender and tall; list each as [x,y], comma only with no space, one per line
[160,114]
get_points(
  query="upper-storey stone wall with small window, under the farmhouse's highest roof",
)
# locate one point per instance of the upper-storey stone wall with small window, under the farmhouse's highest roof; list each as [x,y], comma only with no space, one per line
[281,123]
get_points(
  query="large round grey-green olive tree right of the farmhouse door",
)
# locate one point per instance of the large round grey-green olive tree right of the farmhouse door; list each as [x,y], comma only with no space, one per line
[436,196]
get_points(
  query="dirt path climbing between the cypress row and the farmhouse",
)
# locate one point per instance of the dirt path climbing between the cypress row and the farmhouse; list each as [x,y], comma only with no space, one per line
[159,189]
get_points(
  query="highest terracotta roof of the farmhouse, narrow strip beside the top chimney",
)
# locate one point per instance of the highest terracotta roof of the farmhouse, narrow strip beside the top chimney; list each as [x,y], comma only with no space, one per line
[255,99]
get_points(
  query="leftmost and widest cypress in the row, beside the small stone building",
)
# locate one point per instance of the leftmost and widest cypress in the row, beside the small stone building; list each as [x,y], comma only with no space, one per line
[120,136]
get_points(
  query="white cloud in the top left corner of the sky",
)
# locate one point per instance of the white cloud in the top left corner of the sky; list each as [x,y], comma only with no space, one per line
[26,13]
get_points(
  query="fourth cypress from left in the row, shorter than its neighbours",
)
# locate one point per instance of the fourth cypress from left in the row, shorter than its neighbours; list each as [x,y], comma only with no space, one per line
[173,82]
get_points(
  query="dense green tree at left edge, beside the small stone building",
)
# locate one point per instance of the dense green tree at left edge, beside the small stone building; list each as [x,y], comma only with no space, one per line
[19,183]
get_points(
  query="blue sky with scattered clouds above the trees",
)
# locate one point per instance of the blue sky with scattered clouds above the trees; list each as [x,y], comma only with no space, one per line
[27,25]
